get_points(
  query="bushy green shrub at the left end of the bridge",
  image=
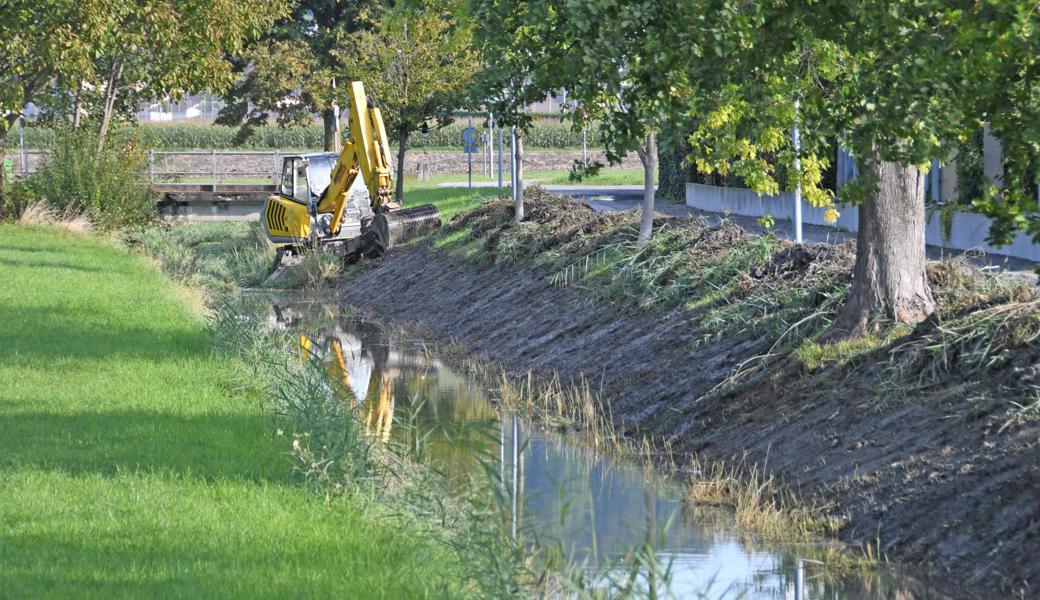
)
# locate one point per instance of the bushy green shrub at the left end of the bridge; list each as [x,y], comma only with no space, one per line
[108,188]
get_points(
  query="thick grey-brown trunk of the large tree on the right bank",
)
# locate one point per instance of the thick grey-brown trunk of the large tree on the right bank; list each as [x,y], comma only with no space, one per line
[890,278]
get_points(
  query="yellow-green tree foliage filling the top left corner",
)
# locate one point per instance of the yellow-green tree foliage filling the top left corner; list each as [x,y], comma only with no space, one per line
[121,51]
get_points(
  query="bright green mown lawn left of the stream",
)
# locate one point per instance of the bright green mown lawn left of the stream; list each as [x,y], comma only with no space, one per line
[128,466]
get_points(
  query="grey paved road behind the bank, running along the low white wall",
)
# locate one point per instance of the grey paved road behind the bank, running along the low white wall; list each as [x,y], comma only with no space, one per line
[625,198]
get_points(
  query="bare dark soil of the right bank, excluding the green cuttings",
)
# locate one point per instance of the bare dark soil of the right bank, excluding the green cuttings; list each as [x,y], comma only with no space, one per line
[939,474]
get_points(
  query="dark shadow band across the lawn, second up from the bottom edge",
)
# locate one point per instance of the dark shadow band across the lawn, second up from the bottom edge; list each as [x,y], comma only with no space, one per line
[206,447]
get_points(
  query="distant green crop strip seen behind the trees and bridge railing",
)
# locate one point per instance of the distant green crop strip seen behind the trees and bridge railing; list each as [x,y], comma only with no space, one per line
[543,135]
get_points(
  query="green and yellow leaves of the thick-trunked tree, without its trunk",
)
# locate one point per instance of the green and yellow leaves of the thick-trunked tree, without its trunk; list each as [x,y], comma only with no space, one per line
[903,82]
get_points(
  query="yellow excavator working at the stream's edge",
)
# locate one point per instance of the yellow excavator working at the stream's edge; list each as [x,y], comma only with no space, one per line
[344,203]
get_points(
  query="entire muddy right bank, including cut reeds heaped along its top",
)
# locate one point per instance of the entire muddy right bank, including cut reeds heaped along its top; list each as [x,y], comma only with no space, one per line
[916,447]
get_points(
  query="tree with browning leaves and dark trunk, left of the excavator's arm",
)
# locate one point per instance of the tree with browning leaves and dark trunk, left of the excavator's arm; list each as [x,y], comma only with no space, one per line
[292,71]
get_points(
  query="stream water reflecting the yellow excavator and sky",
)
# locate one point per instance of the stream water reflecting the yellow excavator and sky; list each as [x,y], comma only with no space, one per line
[595,508]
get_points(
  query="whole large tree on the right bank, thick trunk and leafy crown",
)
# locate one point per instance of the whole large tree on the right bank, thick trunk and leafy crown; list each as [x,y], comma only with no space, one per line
[900,84]
